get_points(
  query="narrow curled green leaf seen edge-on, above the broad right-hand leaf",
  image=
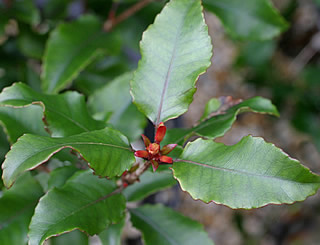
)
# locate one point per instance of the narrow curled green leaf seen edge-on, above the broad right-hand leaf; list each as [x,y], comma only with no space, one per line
[219,124]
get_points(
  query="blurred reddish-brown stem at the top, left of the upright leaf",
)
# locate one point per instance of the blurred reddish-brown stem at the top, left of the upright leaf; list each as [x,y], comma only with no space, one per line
[112,22]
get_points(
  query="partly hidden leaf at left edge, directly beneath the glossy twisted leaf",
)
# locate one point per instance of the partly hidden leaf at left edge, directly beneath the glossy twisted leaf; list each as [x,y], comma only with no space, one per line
[18,121]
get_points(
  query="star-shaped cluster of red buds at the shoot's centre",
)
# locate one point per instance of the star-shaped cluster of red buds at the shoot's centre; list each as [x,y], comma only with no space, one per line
[153,153]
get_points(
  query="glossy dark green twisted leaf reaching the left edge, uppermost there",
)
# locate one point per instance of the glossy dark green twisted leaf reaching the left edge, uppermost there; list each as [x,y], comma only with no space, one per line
[64,114]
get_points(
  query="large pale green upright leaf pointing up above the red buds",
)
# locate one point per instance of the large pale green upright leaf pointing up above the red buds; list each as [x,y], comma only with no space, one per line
[175,50]
